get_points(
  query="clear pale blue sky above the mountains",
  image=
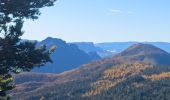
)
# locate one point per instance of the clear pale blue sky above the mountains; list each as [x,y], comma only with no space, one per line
[103,21]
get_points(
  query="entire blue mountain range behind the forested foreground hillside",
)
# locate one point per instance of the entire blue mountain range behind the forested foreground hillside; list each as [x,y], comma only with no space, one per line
[67,55]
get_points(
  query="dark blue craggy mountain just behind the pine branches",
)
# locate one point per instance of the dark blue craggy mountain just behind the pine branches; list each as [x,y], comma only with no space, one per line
[66,57]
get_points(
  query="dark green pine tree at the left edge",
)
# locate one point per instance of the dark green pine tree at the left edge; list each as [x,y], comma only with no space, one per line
[15,55]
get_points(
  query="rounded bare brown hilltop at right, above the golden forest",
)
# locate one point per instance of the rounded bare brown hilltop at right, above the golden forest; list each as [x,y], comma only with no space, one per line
[145,53]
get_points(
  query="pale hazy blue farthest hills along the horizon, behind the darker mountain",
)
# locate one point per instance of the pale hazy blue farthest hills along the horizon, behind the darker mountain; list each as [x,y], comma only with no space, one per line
[109,49]
